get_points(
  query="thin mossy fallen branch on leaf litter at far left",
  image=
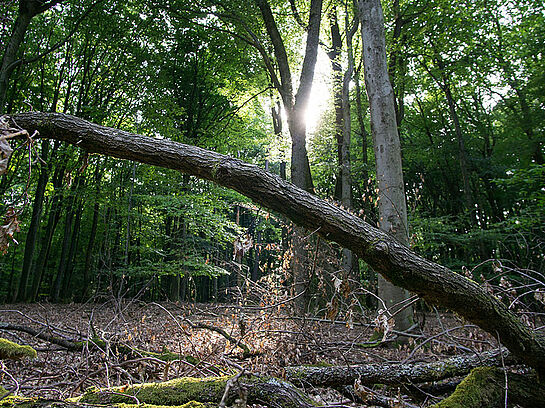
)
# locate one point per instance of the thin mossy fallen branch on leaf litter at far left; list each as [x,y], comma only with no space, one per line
[96,343]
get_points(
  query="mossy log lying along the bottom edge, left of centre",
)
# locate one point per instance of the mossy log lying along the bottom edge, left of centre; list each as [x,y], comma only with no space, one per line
[269,391]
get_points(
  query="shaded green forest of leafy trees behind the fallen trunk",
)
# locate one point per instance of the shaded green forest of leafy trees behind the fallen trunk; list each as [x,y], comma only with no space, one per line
[469,86]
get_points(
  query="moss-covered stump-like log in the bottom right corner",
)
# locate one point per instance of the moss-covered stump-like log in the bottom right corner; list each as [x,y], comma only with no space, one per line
[485,387]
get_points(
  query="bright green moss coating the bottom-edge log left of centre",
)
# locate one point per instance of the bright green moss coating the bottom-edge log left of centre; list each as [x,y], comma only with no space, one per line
[174,392]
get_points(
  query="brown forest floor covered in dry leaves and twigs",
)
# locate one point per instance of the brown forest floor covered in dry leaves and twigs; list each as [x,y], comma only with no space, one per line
[275,337]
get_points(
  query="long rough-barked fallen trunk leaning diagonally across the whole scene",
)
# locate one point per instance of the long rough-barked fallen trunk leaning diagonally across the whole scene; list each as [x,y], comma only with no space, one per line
[397,263]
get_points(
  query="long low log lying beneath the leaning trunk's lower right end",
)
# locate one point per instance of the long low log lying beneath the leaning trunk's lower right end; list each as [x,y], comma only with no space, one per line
[336,376]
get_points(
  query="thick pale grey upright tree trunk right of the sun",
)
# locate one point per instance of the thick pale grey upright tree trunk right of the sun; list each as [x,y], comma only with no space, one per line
[392,205]
